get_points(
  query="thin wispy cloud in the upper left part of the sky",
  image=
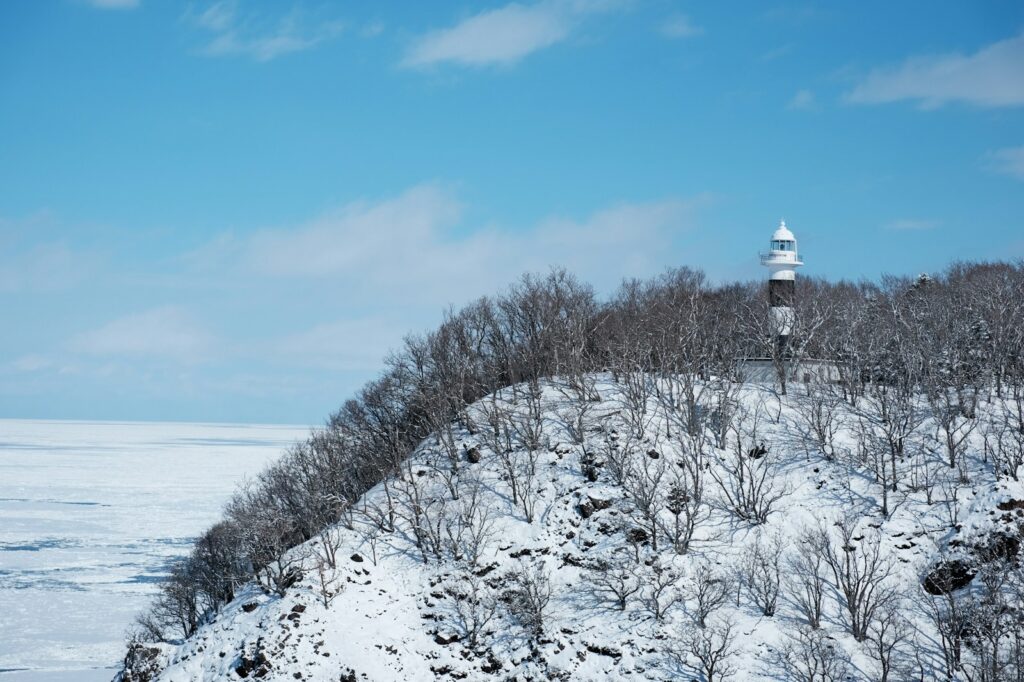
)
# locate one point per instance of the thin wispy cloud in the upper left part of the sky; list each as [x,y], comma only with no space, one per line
[259,37]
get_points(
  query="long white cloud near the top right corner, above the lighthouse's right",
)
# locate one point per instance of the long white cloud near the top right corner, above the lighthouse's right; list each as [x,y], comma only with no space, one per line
[992,77]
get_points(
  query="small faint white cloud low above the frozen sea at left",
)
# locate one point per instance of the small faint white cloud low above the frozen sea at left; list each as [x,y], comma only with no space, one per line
[167,332]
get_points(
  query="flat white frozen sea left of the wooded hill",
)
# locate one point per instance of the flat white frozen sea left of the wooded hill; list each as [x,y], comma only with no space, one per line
[91,516]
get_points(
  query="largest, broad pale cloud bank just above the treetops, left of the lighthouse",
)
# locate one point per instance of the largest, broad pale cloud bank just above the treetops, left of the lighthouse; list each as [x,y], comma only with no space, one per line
[415,248]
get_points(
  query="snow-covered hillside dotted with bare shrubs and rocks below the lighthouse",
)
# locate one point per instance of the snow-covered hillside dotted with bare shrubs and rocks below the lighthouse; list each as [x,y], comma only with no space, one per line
[546,540]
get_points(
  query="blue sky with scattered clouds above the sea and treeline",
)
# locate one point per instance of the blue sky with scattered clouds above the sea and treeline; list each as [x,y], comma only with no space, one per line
[230,211]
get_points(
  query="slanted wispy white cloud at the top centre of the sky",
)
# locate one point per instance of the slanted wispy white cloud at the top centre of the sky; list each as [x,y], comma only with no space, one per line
[502,36]
